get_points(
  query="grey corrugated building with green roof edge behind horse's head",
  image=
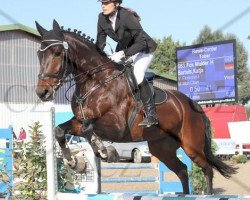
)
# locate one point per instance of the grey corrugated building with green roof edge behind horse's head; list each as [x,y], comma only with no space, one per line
[19,67]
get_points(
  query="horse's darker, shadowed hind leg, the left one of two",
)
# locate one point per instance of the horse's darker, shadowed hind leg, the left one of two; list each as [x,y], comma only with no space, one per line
[165,151]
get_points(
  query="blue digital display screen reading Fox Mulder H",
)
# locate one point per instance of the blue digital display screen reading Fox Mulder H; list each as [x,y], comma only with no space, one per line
[207,72]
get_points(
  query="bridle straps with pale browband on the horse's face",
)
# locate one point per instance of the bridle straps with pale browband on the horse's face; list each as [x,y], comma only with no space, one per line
[62,73]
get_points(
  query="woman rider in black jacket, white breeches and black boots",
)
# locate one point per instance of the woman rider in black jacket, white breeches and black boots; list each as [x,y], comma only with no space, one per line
[123,26]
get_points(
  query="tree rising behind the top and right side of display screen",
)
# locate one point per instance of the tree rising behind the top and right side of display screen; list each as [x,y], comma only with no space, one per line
[243,75]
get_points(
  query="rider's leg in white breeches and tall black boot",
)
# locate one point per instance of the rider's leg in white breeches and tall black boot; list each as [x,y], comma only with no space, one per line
[141,64]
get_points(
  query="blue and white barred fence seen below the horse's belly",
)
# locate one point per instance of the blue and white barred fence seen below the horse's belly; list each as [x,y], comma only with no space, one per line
[166,180]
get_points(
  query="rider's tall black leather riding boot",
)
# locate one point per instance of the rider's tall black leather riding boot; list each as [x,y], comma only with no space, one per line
[148,104]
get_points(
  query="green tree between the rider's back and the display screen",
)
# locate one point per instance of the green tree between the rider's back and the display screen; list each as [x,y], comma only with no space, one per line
[165,56]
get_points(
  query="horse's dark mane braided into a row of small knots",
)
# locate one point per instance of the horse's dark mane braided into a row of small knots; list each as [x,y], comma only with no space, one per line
[85,38]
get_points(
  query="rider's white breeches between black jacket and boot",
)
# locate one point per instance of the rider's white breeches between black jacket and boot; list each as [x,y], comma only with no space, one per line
[141,63]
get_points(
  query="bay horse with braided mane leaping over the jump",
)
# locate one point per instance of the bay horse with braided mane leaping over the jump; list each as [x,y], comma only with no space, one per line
[102,104]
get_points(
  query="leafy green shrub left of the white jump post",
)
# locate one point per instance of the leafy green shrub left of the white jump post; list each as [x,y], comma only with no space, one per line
[30,166]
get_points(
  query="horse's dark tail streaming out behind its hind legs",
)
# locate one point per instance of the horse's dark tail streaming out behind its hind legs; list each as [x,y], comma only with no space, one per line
[223,168]
